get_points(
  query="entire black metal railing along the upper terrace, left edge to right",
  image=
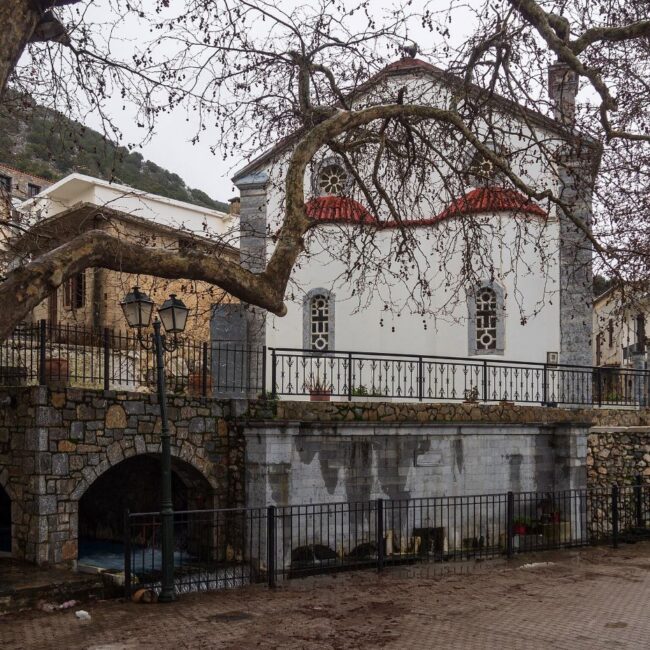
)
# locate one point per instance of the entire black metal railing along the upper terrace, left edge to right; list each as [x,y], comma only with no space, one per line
[71,355]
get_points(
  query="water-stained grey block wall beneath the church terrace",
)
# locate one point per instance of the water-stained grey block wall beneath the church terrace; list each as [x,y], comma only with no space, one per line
[292,463]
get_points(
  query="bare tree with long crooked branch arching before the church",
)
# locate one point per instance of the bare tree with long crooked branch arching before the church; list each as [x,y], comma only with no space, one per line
[254,75]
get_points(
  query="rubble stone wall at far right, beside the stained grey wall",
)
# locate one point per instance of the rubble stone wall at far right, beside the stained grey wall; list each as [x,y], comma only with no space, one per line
[615,455]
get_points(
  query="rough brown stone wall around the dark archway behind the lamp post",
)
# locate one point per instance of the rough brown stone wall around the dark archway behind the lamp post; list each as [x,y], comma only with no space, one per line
[54,445]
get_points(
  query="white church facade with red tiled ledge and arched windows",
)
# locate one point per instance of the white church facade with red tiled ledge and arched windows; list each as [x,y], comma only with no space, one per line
[532,307]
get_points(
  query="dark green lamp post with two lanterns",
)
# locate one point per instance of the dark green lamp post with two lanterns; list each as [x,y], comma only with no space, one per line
[138,307]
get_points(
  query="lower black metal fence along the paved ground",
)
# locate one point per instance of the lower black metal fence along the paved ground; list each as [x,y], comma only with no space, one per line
[218,549]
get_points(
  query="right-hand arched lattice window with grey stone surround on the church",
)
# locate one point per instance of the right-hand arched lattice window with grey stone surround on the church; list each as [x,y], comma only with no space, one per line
[487,320]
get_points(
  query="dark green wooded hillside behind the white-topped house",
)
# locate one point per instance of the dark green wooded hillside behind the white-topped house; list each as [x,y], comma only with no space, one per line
[40,141]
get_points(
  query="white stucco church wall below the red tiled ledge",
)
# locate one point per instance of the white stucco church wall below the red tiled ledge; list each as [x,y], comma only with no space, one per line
[362,323]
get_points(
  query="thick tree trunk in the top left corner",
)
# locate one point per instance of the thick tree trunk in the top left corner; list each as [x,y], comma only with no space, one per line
[18,20]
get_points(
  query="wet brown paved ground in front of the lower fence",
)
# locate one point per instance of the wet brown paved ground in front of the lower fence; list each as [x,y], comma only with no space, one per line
[593,598]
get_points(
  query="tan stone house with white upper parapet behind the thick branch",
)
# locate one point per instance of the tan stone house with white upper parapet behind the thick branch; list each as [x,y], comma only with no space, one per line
[91,298]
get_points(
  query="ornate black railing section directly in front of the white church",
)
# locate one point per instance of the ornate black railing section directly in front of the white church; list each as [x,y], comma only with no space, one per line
[351,374]
